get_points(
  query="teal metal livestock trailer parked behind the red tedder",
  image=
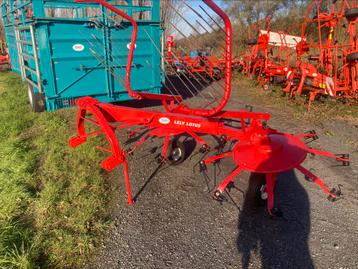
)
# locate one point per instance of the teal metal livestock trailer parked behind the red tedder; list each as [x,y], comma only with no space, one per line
[52,45]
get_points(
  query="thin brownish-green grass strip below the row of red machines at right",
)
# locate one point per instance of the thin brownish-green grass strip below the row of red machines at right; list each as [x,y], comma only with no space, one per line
[325,109]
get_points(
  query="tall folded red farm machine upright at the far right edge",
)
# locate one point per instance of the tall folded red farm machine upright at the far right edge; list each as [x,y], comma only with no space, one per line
[333,70]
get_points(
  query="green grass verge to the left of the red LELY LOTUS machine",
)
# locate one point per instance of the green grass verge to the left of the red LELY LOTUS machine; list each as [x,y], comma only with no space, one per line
[53,199]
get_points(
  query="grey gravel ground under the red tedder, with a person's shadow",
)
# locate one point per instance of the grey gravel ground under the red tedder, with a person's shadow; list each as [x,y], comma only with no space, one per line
[176,224]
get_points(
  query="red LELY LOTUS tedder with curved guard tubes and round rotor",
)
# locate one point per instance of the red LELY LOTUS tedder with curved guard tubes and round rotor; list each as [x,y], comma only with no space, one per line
[255,147]
